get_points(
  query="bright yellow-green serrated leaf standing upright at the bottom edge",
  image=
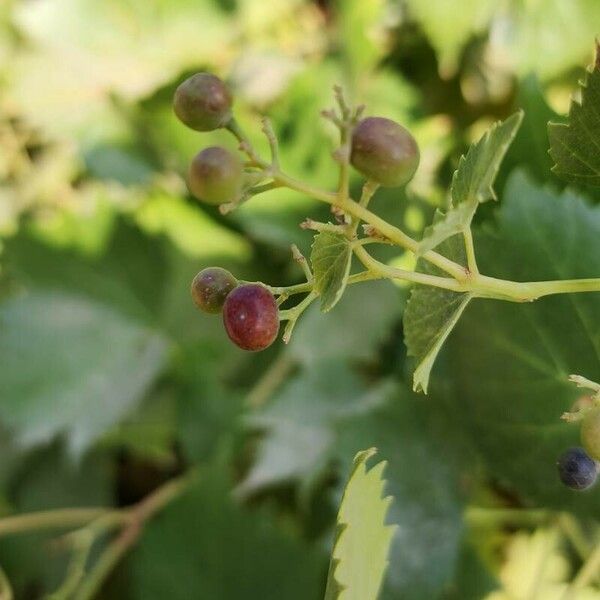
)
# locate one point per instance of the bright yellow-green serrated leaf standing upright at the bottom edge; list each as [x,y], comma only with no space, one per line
[360,552]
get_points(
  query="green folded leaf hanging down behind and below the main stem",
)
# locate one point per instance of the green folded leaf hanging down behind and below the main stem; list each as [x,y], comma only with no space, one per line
[431,313]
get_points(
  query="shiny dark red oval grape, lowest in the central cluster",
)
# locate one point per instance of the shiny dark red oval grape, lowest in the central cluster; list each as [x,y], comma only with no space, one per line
[251,317]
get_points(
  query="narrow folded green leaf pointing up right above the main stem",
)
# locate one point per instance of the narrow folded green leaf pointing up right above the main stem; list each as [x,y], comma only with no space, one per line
[473,180]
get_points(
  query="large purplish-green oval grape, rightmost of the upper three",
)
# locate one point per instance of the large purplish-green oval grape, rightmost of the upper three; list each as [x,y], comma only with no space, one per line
[384,151]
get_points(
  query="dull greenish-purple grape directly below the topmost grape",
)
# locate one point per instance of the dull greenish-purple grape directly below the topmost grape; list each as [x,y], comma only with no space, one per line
[216,176]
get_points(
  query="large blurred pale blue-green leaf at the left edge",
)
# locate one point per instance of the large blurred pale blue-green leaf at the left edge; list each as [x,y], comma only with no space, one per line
[71,364]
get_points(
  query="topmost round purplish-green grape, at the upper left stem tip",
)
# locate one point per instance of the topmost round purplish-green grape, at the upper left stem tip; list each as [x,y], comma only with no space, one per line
[203,102]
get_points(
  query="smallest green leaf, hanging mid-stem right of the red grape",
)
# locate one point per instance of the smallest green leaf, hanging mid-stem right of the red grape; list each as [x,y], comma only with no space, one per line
[330,257]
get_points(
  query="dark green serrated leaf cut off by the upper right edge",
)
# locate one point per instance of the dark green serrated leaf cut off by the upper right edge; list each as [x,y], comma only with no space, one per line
[575,146]
